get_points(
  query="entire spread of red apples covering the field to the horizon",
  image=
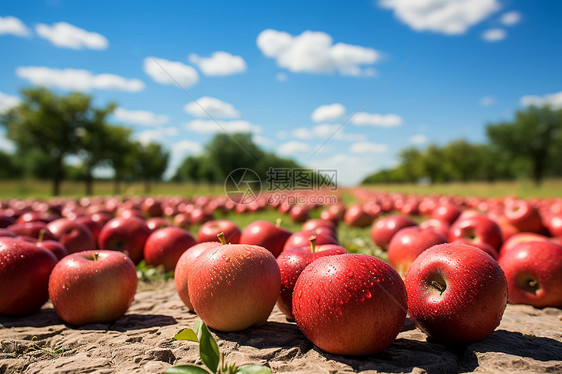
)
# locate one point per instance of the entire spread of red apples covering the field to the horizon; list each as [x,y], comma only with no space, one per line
[453,263]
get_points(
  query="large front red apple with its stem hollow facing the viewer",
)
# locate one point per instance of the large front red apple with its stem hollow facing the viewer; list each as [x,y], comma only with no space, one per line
[472,303]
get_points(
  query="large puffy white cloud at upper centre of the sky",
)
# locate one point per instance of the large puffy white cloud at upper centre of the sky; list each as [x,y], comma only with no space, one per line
[314,52]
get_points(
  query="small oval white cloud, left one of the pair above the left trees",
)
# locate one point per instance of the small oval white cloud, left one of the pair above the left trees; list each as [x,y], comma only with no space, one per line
[169,72]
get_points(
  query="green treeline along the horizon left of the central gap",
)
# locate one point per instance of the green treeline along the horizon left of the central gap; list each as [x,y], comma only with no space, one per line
[49,130]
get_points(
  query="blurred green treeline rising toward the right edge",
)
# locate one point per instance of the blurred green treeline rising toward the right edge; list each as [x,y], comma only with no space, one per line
[528,147]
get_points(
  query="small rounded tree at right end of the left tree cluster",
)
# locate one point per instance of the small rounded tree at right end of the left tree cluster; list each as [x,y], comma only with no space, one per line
[149,162]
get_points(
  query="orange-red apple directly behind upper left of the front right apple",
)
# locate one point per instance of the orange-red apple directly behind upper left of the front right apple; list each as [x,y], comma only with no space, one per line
[408,243]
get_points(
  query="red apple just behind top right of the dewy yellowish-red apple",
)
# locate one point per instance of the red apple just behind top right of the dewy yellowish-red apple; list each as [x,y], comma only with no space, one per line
[266,234]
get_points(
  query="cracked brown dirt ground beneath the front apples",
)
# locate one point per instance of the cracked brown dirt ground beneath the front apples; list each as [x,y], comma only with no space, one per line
[527,341]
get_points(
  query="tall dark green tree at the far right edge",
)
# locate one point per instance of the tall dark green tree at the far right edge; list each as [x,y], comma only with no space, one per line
[533,137]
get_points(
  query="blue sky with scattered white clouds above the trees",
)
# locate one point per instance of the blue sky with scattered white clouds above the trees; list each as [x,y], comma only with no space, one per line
[388,74]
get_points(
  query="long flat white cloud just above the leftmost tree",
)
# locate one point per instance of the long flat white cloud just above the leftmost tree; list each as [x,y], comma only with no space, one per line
[75,79]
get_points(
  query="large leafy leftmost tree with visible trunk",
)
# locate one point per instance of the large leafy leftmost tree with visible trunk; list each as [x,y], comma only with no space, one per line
[50,124]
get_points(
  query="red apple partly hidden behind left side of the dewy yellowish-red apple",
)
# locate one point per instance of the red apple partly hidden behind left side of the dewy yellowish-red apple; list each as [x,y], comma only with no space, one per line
[166,245]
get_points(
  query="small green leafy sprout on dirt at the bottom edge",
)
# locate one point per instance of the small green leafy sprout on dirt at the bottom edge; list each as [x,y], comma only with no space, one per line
[209,353]
